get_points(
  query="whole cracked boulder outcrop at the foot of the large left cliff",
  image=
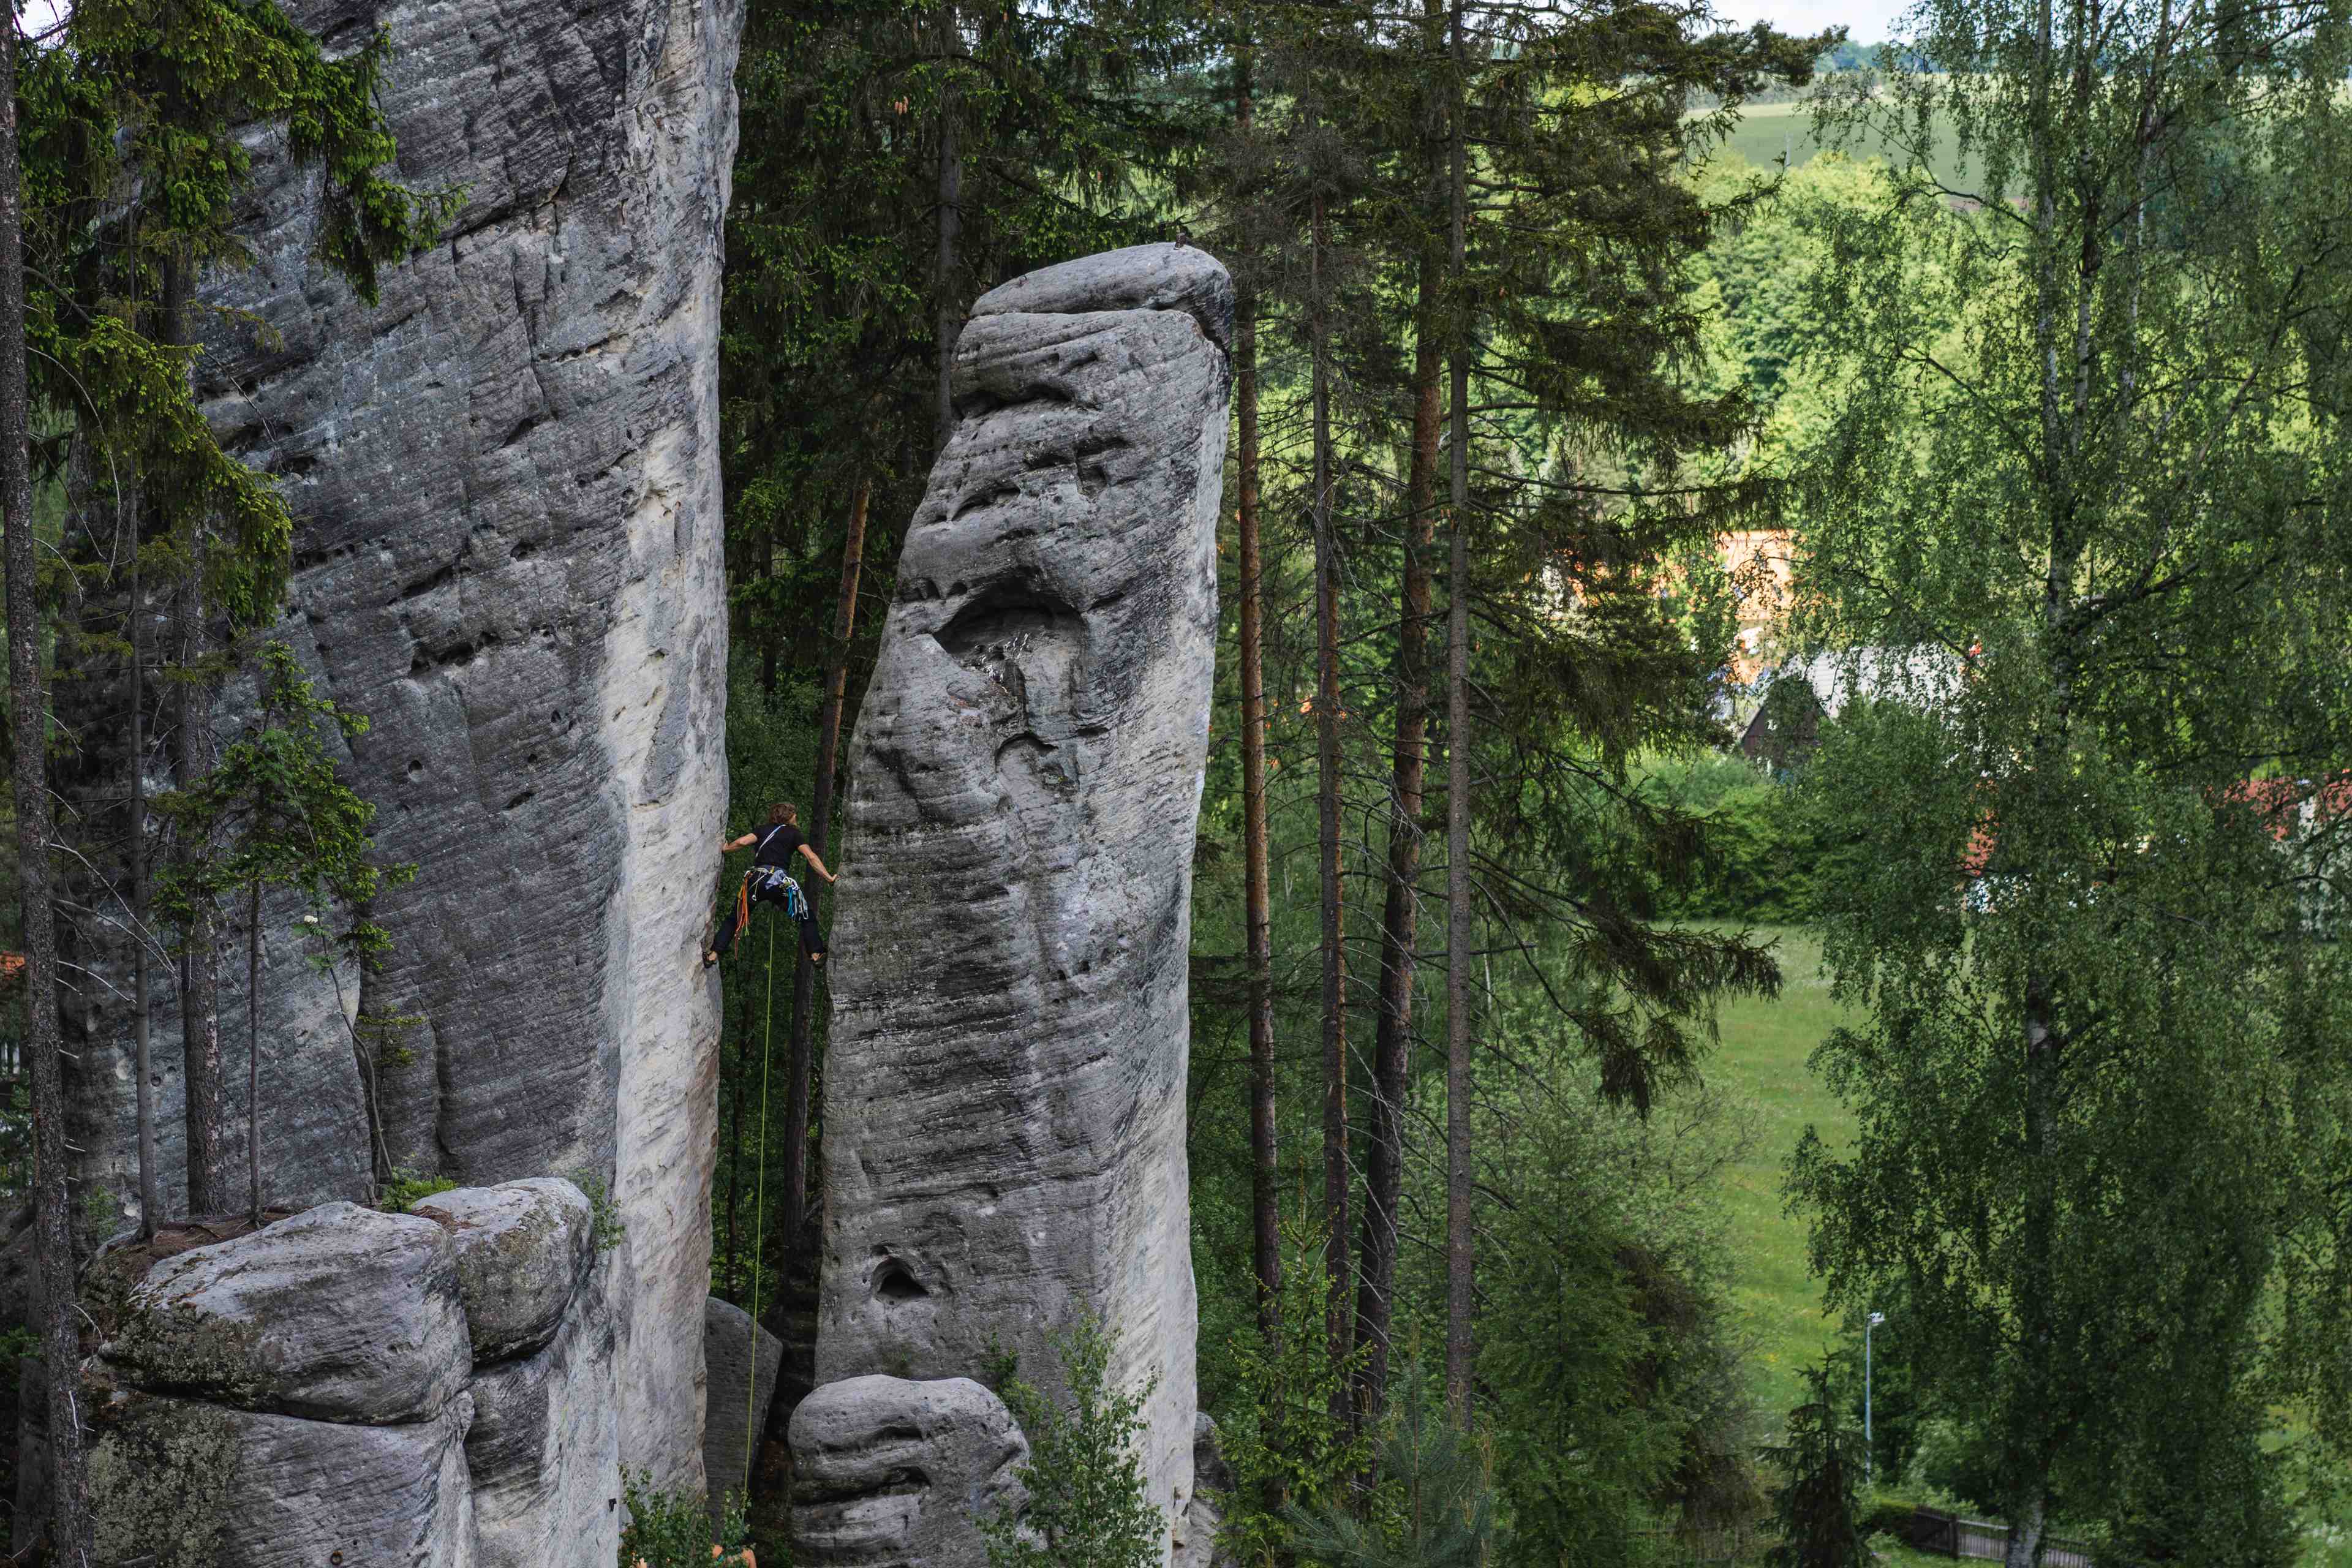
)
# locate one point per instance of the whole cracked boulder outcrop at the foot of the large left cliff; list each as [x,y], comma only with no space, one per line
[274,1402]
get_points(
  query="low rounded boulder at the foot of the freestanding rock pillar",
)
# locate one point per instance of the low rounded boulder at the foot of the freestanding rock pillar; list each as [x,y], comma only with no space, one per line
[895,1475]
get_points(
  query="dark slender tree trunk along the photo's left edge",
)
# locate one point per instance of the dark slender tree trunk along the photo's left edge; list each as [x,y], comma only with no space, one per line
[53,1200]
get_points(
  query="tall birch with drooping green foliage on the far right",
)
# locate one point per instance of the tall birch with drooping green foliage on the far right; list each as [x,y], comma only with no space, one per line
[2092,424]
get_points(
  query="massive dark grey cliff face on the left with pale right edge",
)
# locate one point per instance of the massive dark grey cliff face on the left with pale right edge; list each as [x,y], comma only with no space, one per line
[507,507]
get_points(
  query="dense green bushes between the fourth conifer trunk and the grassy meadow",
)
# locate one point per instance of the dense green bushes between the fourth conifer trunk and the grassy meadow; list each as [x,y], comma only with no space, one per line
[1615,1395]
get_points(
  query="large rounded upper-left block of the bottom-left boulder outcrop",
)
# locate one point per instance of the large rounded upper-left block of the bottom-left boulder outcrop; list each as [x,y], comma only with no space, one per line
[340,1315]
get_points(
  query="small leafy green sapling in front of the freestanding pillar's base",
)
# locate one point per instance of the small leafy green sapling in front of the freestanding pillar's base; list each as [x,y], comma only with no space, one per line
[1088,1501]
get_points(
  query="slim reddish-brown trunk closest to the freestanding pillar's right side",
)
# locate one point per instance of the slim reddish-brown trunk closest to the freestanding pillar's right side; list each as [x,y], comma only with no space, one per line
[1257,885]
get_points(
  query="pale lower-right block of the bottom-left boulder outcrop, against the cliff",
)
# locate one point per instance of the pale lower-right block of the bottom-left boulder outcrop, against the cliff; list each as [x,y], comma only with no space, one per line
[547,1449]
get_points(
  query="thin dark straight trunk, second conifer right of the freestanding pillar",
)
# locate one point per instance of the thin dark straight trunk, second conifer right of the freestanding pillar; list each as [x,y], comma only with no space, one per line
[1328,768]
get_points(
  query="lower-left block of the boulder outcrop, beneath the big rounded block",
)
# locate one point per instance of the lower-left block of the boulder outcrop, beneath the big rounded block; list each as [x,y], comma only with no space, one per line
[201,1487]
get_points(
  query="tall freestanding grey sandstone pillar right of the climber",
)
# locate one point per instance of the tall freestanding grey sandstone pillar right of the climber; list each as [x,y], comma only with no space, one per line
[1005,1083]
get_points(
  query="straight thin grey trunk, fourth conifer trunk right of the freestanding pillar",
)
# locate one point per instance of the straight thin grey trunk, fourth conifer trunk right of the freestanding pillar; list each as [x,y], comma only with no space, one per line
[1459,1259]
